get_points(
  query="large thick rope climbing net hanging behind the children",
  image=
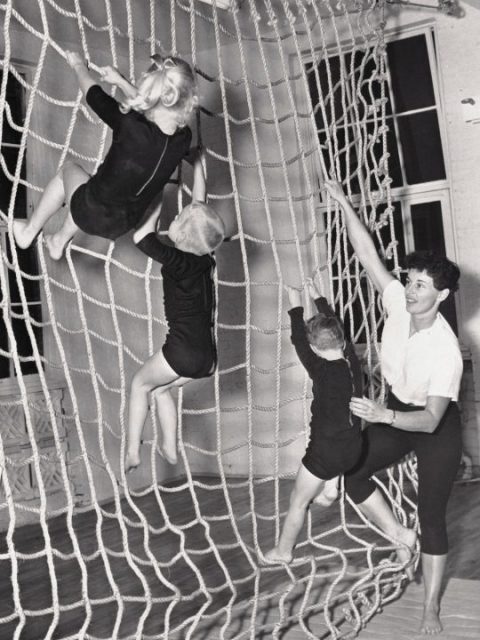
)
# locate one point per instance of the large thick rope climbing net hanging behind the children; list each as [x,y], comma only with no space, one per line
[290,91]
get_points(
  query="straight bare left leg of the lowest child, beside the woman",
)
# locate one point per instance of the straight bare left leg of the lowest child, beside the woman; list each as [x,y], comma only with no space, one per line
[307,486]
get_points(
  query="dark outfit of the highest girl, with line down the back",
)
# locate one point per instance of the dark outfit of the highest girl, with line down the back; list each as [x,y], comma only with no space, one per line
[137,166]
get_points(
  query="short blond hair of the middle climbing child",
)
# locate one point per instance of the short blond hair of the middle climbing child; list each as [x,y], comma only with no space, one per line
[203,226]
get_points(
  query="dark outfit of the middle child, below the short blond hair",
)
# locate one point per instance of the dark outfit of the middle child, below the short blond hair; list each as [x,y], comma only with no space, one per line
[189,307]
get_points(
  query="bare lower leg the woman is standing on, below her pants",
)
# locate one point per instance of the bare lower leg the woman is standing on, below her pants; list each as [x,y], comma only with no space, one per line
[433,568]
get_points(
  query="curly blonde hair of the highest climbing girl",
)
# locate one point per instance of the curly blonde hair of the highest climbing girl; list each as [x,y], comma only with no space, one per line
[169,83]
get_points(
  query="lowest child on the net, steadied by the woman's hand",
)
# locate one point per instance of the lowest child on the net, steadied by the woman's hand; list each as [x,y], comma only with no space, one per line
[335,434]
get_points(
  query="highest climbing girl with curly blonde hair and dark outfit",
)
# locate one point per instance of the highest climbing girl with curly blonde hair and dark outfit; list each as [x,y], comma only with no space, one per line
[150,136]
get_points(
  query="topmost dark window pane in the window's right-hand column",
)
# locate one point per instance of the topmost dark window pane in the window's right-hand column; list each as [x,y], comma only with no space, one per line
[410,74]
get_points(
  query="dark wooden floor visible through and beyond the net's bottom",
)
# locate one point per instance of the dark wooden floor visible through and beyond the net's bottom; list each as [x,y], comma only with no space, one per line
[35,588]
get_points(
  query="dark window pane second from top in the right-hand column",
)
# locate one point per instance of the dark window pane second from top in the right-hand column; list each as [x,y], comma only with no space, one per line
[422,147]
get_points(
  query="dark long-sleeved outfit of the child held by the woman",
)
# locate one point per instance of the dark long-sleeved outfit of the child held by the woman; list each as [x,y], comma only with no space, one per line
[335,434]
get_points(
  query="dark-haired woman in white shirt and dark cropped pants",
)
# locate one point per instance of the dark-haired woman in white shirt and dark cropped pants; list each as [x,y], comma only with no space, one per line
[422,364]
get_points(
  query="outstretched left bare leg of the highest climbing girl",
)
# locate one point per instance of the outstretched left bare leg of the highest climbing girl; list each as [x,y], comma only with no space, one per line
[58,191]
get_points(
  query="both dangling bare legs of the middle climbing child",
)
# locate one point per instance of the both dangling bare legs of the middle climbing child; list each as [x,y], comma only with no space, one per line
[154,374]
